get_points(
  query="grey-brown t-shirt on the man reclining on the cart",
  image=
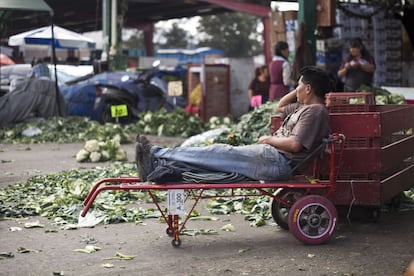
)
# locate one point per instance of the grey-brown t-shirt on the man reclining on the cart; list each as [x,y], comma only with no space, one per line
[308,123]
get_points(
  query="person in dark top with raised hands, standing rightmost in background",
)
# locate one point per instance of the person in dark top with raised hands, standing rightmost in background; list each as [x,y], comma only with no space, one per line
[358,68]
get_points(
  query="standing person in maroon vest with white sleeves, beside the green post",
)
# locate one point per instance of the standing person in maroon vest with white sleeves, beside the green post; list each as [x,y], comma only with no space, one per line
[280,72]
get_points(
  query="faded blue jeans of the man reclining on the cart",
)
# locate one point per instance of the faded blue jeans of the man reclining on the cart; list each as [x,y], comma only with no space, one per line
[257,161]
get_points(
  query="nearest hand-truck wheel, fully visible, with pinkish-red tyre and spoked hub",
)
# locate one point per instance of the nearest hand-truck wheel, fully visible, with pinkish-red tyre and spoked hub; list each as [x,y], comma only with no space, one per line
[312,219]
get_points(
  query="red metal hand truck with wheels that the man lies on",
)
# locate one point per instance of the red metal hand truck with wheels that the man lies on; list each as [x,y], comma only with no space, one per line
[313,210]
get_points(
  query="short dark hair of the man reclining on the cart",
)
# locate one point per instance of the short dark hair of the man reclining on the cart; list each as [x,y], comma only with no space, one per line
[320,80]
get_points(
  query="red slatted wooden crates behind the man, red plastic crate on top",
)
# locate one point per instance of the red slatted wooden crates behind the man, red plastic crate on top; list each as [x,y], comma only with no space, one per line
[377,159]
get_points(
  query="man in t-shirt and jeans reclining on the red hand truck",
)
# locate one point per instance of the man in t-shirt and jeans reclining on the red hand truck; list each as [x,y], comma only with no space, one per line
[305,125]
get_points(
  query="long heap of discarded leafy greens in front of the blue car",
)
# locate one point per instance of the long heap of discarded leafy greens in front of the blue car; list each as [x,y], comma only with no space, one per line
[80,129]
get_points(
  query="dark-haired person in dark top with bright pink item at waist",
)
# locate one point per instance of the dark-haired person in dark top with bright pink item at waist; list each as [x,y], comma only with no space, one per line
[259,87]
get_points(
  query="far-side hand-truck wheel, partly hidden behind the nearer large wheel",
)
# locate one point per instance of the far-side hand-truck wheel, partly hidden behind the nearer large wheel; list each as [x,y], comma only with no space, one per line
[279,210]
